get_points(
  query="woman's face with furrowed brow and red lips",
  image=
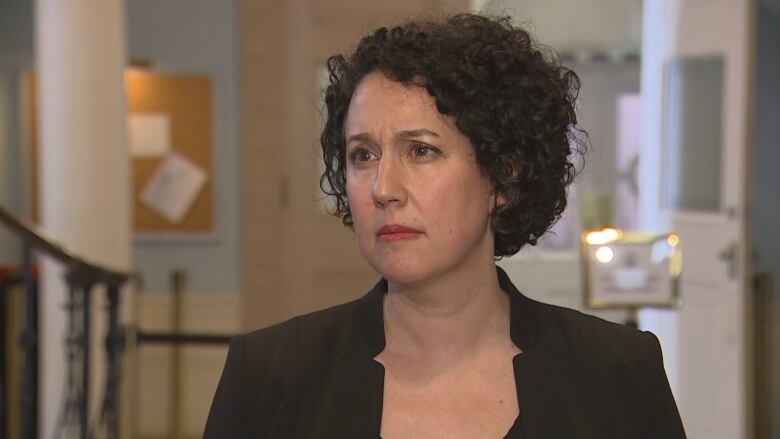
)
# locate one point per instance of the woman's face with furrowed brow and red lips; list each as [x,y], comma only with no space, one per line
[419,203]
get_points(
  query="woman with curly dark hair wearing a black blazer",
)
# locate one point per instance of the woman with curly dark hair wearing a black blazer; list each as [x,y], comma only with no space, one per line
[447,145]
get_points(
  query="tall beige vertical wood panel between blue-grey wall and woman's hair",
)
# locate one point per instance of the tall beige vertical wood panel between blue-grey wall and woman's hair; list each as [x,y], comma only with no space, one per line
[262,124]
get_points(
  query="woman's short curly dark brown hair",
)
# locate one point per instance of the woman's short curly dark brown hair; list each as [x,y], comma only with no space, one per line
[507,94]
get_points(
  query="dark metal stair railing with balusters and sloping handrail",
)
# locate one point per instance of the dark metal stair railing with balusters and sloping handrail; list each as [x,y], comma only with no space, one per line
[82,278]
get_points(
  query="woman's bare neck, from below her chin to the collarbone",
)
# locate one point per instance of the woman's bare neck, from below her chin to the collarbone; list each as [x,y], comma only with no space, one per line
[449,319]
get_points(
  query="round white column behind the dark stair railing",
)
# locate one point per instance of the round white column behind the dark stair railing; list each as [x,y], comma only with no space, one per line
[84,186]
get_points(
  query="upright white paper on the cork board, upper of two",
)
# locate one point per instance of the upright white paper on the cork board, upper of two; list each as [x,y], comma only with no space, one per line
[149,134]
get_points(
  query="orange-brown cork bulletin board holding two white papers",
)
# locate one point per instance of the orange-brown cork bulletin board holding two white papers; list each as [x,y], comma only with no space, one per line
[185,101]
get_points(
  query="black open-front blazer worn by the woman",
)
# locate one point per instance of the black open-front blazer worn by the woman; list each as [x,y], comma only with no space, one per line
[314,376]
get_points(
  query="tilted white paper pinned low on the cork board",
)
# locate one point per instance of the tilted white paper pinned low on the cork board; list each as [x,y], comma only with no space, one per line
[173,187]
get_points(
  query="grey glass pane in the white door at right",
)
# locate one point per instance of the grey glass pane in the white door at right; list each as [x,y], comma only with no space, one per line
[693,133]
